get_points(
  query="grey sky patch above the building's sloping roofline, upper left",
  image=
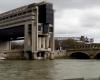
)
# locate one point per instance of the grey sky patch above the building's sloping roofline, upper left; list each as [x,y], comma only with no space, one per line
[11,4]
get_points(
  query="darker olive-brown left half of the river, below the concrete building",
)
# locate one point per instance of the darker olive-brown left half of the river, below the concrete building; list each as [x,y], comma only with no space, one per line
[26,70]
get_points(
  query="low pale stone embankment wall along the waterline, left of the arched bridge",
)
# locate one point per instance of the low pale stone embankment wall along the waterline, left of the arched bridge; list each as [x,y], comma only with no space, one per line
[11,55]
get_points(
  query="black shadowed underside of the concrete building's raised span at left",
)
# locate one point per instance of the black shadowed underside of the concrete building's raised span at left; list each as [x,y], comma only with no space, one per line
[12,32]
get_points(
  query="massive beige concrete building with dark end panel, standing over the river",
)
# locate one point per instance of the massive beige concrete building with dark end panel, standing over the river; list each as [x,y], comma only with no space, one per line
[34,24]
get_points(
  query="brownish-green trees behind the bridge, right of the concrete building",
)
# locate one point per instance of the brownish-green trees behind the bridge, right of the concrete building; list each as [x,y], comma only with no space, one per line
[72,44]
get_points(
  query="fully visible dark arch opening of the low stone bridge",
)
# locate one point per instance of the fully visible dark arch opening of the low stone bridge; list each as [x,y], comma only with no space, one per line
[79,55]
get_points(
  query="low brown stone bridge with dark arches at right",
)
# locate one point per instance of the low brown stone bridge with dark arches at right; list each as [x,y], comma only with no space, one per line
[89,51]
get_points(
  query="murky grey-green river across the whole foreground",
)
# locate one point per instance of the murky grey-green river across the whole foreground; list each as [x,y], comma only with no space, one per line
[59,69]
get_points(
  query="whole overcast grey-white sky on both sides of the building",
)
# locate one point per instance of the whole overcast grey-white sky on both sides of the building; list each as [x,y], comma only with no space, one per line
[72,17]
